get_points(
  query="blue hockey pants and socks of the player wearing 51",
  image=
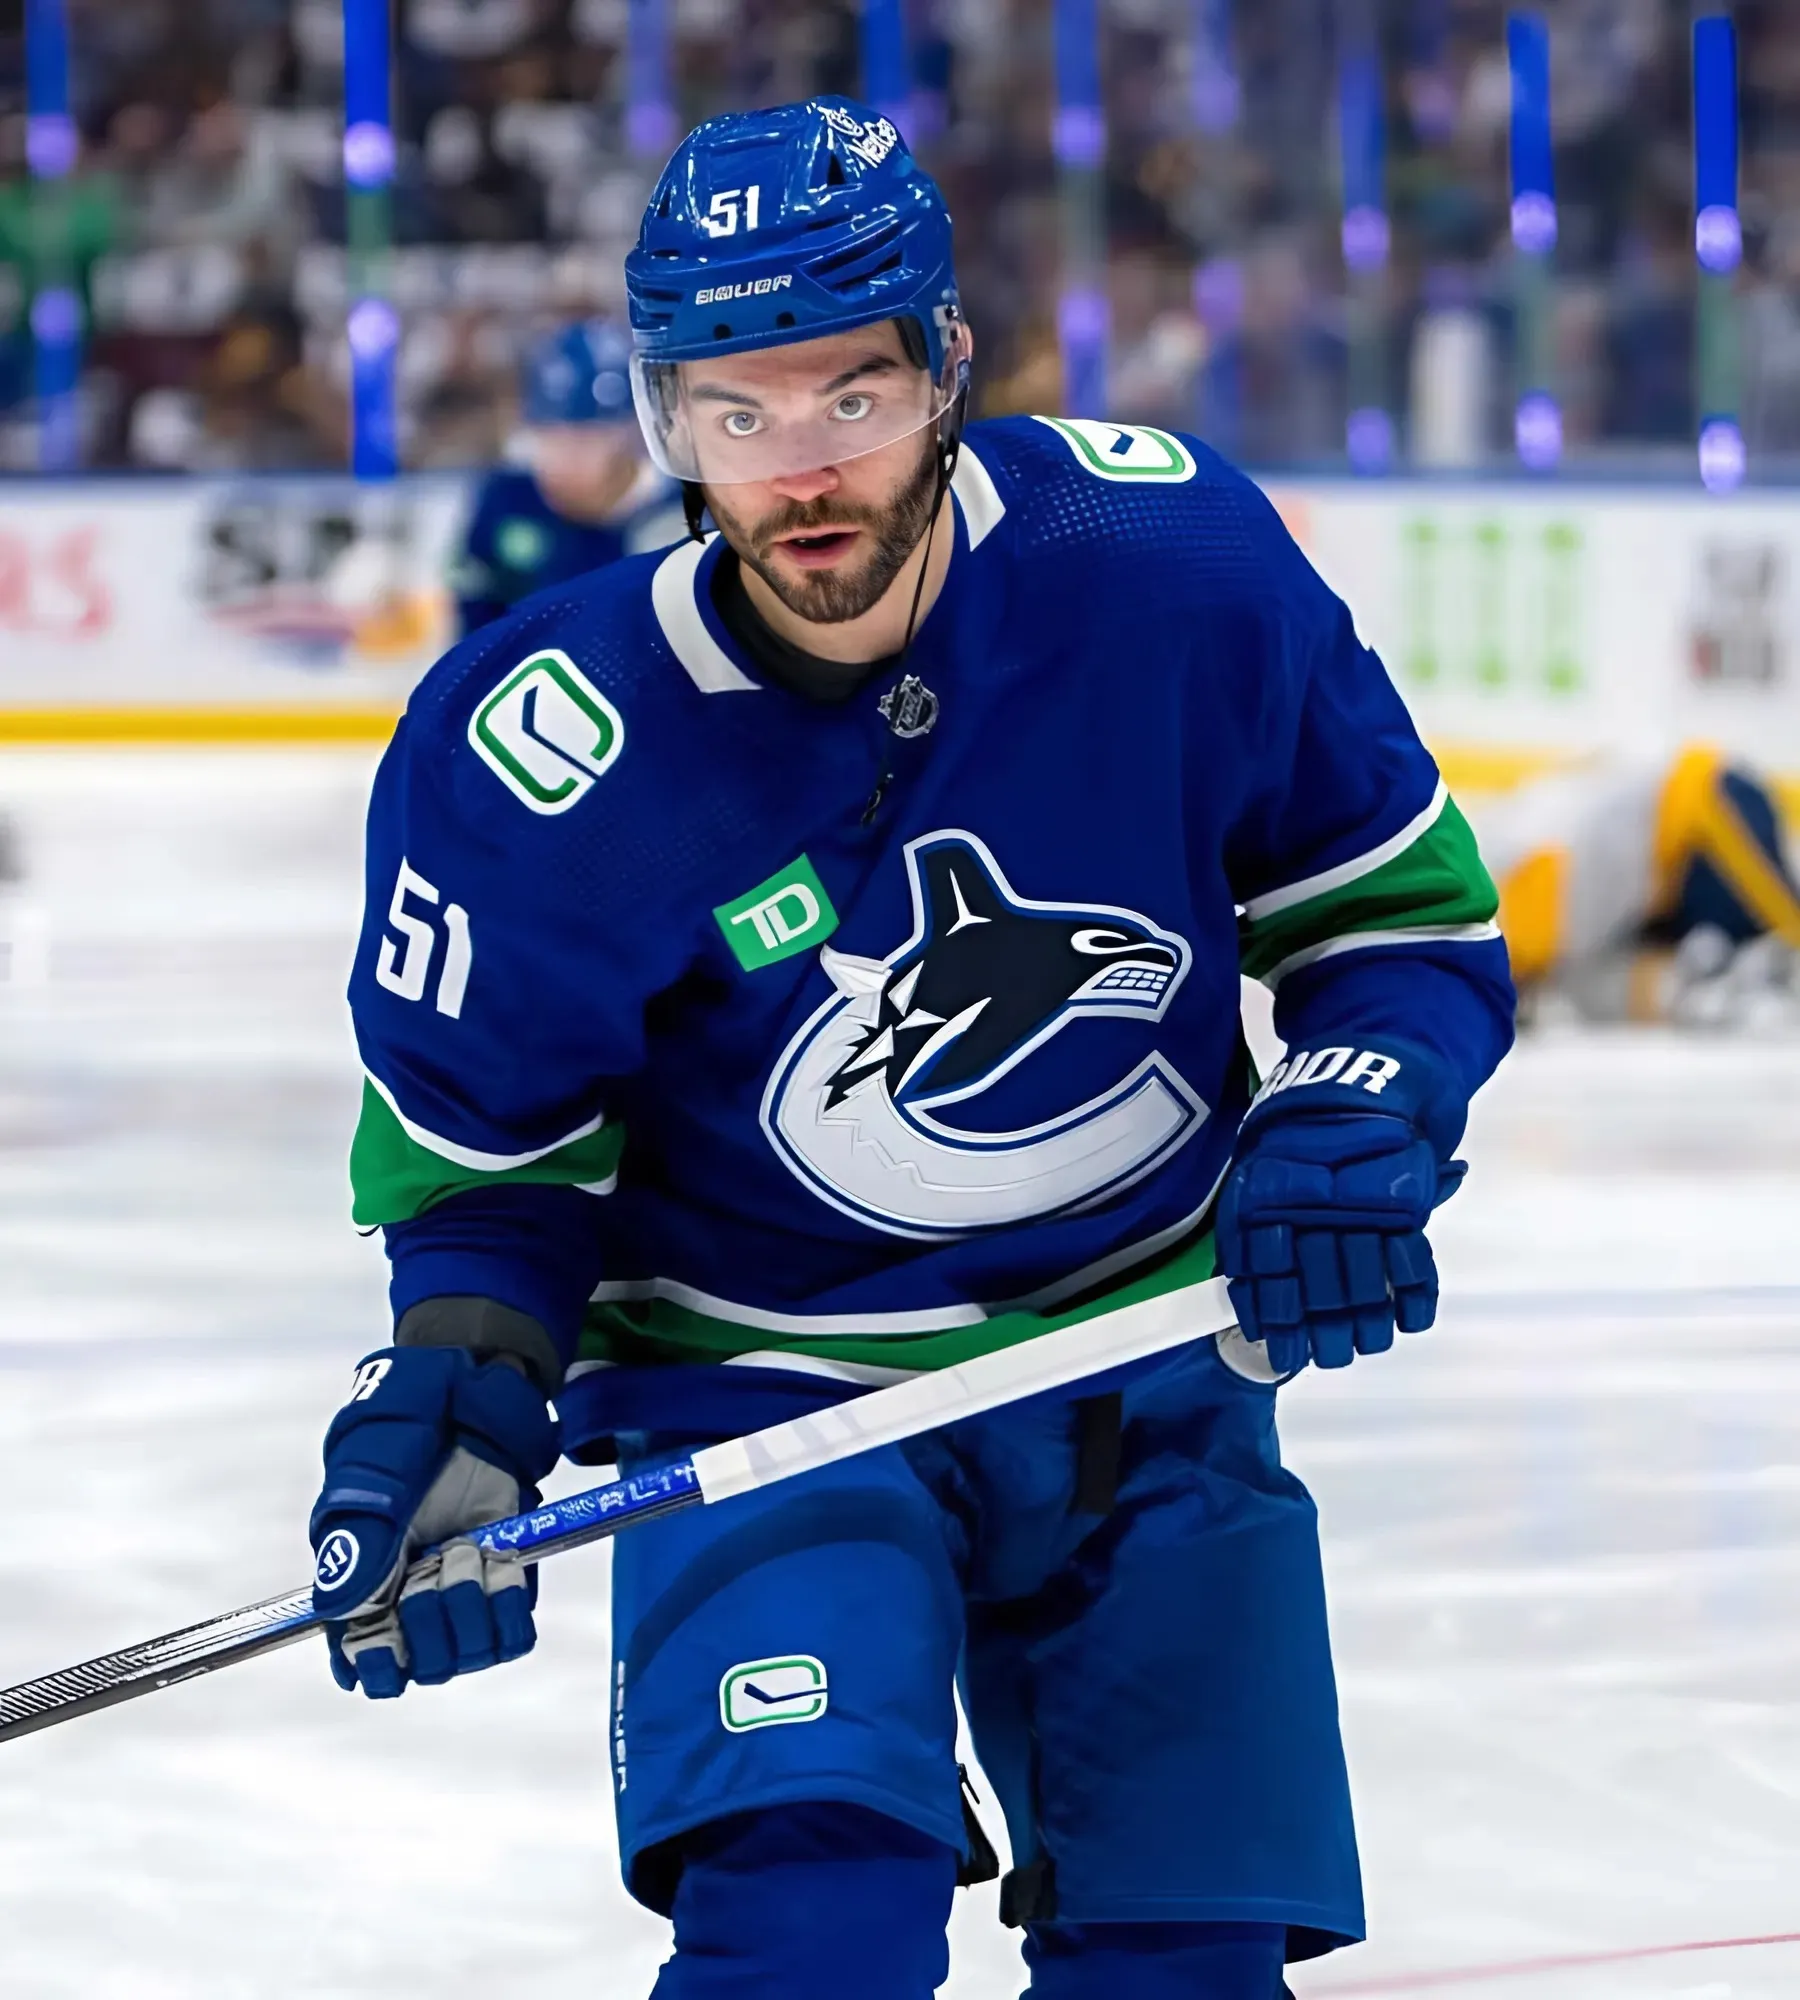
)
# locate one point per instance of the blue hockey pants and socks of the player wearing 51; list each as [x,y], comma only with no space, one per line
[1147,1681]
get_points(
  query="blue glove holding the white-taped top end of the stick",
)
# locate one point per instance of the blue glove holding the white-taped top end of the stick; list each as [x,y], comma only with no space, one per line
[1321,1219]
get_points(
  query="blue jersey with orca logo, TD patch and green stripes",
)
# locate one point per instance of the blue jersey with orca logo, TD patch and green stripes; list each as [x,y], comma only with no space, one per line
[709,1023]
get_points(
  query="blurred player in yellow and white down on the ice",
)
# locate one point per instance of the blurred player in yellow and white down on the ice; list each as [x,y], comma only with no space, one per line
[1649,891]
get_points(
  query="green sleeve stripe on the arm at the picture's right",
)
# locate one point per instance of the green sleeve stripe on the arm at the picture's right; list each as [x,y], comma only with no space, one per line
[1439,881]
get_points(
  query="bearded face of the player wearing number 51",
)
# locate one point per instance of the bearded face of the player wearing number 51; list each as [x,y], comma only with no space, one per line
[829,541]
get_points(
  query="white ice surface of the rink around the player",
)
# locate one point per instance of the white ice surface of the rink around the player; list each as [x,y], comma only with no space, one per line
[1563,1531]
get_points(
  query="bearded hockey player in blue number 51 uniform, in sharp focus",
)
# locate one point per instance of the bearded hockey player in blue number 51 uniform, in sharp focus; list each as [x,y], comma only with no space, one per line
[813,957]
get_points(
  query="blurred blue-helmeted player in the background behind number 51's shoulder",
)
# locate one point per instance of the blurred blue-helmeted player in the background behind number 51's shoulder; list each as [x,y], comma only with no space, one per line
[581,493]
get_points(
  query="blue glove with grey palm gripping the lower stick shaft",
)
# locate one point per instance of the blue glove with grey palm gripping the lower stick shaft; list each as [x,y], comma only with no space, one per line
[429,1447]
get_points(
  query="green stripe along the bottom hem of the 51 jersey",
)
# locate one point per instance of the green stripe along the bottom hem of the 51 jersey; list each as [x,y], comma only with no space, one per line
[649,1333]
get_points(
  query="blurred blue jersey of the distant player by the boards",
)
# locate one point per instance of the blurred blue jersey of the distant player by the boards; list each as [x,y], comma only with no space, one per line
[517,545]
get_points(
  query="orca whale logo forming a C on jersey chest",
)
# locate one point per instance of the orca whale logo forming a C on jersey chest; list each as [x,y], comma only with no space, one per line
[985,981]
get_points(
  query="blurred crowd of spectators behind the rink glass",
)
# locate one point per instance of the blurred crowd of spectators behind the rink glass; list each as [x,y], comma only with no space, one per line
[205,219]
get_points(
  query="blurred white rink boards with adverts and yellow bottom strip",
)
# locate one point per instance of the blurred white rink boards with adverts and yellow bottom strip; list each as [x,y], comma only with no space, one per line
[1525,623]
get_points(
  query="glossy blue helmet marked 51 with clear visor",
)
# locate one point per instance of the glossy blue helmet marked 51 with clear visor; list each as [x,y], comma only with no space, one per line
[781,227]
